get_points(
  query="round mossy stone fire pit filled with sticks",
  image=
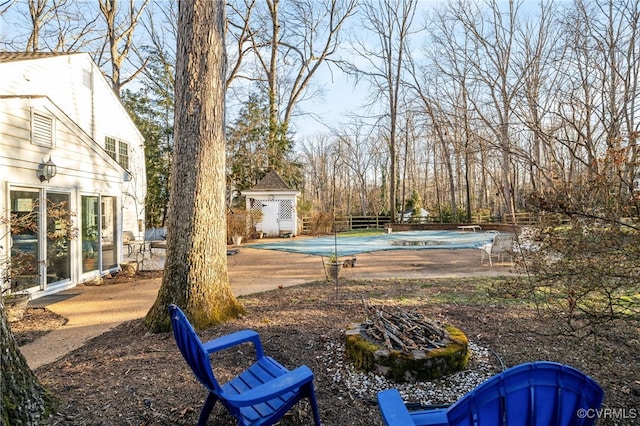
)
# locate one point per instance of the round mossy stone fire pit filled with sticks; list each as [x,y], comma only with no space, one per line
[406,346]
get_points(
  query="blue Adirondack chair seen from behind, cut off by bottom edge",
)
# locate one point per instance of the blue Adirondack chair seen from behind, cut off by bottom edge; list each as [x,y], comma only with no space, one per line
[537,393]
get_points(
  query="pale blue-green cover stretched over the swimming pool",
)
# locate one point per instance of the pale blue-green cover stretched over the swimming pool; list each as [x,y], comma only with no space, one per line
[411,240]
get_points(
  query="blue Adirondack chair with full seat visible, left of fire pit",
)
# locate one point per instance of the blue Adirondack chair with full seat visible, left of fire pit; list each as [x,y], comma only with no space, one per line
[260,395]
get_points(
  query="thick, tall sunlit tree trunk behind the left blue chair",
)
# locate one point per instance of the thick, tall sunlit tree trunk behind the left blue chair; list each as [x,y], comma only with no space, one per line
[195,275]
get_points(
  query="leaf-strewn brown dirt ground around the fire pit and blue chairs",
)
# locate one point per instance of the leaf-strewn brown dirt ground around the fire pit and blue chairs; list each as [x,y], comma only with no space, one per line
[129,377]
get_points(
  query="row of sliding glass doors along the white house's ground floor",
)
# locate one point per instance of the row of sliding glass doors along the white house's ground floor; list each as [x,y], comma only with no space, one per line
[44,237]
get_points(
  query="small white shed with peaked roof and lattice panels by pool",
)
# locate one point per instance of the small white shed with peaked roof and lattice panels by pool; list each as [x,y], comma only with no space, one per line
[277,203]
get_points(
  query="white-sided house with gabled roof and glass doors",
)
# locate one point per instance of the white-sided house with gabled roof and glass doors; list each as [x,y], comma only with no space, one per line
[65,140]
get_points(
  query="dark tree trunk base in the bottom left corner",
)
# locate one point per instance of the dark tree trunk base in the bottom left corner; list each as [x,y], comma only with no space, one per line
[24,400]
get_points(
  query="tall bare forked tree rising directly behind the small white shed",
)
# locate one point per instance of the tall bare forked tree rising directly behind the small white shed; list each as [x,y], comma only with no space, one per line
[288,44]
